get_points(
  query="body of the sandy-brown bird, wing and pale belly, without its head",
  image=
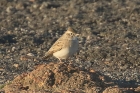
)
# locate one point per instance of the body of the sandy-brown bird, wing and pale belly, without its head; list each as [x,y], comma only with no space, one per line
[64,47]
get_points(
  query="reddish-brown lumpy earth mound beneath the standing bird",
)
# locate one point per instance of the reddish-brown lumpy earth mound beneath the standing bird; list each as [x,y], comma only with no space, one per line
[57,77]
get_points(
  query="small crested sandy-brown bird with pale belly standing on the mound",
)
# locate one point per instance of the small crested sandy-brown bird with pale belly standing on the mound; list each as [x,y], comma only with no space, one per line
[66,46]
